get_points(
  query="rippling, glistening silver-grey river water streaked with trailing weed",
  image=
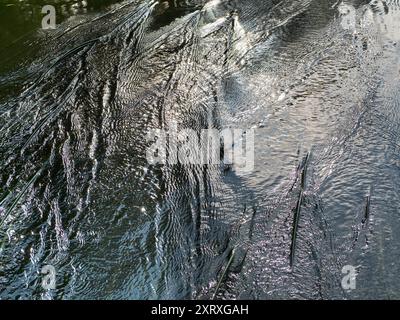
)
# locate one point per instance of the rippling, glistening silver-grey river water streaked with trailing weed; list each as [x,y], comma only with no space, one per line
[77,192]
